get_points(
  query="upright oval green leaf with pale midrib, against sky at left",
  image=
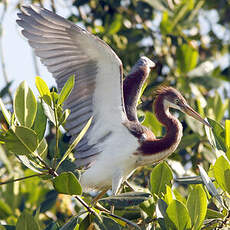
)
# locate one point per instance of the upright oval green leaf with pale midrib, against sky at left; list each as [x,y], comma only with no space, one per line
[25,105]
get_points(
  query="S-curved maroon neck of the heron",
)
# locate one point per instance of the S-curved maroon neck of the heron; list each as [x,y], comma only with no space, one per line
[173,131]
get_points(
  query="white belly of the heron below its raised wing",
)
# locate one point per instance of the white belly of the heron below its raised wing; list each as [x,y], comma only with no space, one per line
[117,156]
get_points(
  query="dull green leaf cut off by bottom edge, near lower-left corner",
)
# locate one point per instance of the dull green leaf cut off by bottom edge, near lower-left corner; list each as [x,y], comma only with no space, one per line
[26,222]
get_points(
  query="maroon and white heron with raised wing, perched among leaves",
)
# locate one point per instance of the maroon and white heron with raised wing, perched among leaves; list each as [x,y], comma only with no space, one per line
[116,143]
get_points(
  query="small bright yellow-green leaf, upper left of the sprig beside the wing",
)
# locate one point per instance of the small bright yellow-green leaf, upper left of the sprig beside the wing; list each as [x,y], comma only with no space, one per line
[43,90]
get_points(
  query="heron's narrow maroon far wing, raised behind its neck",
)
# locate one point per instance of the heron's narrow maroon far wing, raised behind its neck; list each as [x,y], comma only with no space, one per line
[133,84]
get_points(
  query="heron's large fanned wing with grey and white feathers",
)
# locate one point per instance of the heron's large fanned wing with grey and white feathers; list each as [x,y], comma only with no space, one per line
[66,49]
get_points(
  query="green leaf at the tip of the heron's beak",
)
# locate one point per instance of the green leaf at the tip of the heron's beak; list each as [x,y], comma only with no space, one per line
[218,137]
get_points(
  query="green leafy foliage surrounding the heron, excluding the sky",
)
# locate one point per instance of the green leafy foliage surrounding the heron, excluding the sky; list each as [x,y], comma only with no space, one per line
[187,57]
